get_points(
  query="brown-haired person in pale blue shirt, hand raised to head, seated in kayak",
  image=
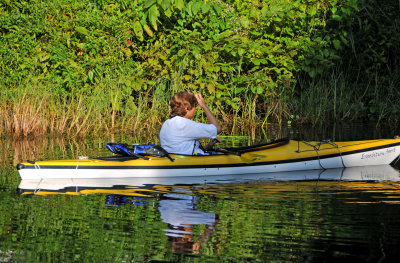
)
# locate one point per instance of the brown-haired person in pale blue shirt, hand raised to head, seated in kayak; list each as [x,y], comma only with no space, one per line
[180,134]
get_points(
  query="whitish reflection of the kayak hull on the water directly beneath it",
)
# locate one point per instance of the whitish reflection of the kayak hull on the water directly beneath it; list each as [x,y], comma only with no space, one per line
[365,173]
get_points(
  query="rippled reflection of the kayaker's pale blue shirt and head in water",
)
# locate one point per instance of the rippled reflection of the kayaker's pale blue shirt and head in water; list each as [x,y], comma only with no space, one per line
[178,210]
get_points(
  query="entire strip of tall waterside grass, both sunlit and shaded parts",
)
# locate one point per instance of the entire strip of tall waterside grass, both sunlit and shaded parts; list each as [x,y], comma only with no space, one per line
[34,108]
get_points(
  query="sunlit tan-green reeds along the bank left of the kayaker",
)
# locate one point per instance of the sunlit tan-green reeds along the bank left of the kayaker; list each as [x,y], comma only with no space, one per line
[34,109]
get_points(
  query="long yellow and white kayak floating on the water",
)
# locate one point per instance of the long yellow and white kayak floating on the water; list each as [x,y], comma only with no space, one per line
[276,156]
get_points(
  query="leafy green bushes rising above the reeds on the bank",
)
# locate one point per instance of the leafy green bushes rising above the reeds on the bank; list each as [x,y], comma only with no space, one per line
[246,57]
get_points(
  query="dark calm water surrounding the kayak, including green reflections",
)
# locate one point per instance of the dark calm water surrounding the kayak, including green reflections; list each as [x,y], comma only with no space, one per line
[313,216]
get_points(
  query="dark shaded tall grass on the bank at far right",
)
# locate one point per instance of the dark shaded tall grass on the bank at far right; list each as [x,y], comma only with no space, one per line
[339,96]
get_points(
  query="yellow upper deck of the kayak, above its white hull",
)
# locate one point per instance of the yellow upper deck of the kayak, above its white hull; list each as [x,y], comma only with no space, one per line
[291,151]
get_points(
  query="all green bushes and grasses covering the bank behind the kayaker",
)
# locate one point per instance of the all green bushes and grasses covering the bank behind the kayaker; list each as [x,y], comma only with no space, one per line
[104,66]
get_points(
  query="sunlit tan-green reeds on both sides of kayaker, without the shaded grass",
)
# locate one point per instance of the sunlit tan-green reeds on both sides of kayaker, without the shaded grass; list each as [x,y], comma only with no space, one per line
[37,109]
